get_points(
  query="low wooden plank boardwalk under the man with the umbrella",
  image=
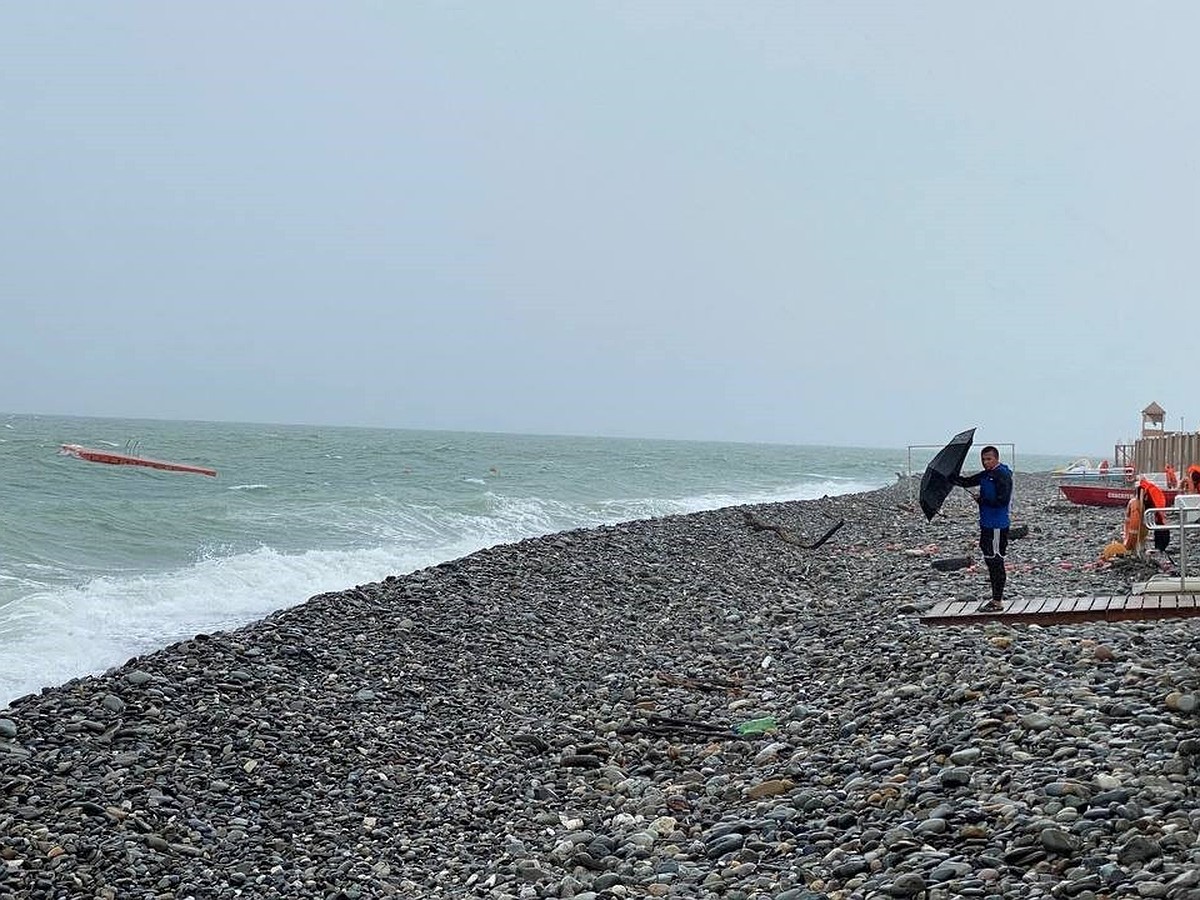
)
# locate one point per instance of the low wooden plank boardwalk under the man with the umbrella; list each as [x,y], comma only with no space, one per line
[1060,610]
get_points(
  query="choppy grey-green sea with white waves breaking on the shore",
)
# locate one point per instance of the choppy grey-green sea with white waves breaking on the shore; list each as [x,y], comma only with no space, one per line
[103,563]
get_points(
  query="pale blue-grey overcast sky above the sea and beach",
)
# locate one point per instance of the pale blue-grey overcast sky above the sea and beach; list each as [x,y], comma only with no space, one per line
[805,223]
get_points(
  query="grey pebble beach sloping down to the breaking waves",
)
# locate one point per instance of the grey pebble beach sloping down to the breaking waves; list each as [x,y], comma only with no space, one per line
[680,707]
